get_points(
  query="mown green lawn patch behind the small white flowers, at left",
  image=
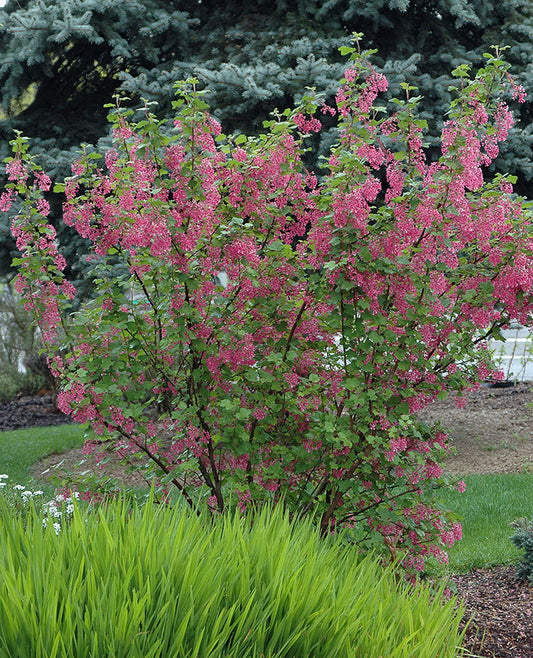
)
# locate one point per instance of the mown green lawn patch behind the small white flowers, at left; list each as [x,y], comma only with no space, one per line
[20,449]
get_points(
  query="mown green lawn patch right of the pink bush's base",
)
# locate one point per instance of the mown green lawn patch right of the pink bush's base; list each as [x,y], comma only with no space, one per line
[487,507]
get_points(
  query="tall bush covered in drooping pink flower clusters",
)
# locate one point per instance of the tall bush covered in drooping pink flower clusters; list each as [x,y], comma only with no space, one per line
[260,334]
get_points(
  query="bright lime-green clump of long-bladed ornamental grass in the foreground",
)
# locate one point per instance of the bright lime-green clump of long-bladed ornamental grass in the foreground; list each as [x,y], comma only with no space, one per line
[157,581]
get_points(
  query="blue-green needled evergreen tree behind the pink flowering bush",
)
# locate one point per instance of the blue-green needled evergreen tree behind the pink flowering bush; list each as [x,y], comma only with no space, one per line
[68,57]
